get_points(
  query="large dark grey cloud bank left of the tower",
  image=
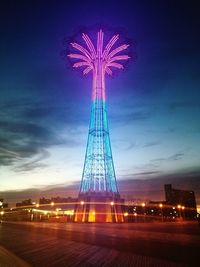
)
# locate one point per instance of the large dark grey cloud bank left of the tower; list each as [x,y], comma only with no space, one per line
[24,135]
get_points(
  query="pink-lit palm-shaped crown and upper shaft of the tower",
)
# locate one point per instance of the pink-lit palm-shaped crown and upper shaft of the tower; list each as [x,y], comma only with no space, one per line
[99,60]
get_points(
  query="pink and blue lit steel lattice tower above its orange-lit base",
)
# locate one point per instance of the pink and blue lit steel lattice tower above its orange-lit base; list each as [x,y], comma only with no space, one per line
[98,172]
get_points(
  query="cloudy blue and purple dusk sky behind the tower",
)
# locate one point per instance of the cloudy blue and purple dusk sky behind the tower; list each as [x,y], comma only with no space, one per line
[153,105]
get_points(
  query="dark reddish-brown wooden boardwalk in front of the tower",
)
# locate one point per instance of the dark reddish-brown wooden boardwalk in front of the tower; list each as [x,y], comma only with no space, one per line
[136,244]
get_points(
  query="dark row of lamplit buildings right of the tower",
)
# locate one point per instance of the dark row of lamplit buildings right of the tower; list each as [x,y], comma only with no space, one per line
[179,205]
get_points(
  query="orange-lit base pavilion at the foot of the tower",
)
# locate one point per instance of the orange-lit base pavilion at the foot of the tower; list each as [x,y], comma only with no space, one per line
[99,207]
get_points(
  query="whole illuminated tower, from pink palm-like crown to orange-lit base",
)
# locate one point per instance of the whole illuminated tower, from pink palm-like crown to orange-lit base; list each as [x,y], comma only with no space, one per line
[99,183]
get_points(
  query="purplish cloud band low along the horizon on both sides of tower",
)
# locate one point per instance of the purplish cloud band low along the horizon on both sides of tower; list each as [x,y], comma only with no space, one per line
[135,190]
